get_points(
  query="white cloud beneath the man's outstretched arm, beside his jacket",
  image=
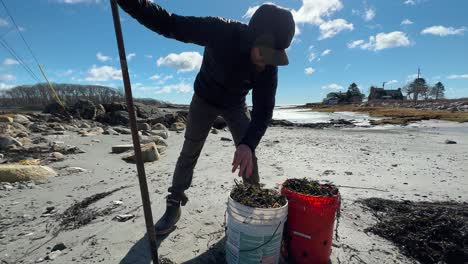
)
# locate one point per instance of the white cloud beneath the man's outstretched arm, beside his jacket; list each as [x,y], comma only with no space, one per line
[184,62]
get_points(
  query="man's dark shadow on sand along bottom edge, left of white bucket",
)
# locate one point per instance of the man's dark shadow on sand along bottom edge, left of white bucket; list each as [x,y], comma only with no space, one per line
[140,253]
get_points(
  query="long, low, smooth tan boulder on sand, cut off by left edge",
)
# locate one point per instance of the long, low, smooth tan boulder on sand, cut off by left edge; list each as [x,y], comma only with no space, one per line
[19,173]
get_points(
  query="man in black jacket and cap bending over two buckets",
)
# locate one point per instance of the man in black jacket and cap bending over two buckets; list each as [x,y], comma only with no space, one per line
[237,58]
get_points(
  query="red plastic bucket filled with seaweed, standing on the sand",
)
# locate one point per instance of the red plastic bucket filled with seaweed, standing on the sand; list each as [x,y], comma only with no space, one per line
[309,230]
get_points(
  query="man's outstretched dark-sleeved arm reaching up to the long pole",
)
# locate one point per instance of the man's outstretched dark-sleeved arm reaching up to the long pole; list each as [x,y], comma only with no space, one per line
[204,31]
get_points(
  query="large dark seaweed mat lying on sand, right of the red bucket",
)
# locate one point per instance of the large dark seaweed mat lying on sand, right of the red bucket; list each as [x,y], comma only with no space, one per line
[428,232]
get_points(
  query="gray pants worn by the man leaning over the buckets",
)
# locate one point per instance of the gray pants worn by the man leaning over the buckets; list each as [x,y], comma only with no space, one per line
[200,120]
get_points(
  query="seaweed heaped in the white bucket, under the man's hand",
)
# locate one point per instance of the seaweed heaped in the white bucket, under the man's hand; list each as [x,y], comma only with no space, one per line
[257,197]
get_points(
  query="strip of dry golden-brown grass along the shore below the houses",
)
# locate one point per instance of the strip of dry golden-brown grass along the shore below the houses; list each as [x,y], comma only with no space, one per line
[397,115]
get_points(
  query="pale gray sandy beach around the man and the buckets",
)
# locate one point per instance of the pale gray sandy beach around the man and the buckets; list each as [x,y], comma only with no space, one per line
[399,163]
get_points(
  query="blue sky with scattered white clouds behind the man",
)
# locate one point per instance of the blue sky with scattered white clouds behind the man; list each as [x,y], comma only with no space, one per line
[339,42]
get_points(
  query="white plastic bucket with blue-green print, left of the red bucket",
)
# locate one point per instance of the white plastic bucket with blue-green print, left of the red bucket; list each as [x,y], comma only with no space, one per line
[254,234]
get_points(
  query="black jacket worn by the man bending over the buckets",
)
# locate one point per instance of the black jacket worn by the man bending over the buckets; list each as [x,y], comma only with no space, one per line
[226,73]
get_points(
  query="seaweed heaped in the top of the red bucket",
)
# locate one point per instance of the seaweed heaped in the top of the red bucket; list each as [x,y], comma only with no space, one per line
[310,187]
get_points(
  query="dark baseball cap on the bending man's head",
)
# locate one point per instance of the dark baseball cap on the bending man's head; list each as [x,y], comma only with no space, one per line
[273,29]
